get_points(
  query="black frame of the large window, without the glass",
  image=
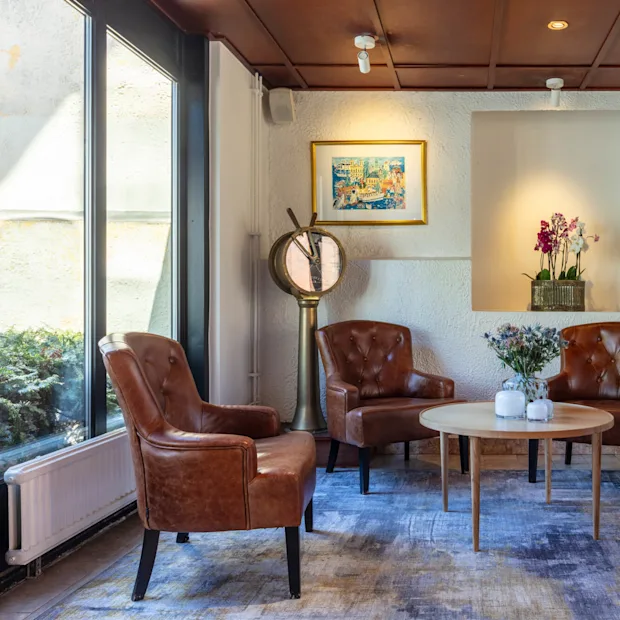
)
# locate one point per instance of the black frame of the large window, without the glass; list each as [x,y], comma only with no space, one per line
[186,59]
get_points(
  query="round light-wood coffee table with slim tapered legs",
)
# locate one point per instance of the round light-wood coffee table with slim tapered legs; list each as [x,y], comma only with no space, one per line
[478,421]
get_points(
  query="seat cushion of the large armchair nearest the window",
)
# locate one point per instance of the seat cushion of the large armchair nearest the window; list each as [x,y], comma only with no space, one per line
[285,482]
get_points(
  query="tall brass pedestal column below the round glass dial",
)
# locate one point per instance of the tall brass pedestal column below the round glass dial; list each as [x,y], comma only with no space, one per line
[308,414]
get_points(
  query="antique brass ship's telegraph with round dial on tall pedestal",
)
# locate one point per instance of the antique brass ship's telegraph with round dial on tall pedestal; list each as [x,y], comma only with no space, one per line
[307,263]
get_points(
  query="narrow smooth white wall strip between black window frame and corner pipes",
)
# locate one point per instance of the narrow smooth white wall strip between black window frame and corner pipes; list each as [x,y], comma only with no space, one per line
[231,104]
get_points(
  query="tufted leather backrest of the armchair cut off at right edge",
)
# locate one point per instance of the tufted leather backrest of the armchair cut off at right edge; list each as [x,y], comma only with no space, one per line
[592,361]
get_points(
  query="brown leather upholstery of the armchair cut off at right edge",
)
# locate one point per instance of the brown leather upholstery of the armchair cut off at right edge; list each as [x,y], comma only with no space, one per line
[590,372]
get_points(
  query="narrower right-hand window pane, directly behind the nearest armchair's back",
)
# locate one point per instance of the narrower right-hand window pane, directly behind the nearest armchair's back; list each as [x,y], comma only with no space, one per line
[139,198]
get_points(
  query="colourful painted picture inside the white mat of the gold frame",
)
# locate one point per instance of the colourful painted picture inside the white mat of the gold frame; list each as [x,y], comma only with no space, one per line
[368,183]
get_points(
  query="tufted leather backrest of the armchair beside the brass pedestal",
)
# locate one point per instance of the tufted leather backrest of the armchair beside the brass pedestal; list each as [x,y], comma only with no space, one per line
[374,357]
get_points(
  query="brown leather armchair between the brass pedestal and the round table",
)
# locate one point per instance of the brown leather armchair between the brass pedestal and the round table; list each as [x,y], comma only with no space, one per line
[374,395]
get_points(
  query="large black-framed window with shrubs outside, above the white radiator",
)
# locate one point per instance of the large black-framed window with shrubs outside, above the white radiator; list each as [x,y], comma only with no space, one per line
[91,201]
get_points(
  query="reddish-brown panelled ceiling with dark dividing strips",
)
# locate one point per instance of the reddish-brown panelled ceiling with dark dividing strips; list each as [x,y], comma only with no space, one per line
[422,44]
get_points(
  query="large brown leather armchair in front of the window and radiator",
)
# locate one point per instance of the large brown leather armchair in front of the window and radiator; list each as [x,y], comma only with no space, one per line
[201,467]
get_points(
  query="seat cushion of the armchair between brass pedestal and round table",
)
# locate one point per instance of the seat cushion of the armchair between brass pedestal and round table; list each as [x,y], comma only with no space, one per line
[389,420]
